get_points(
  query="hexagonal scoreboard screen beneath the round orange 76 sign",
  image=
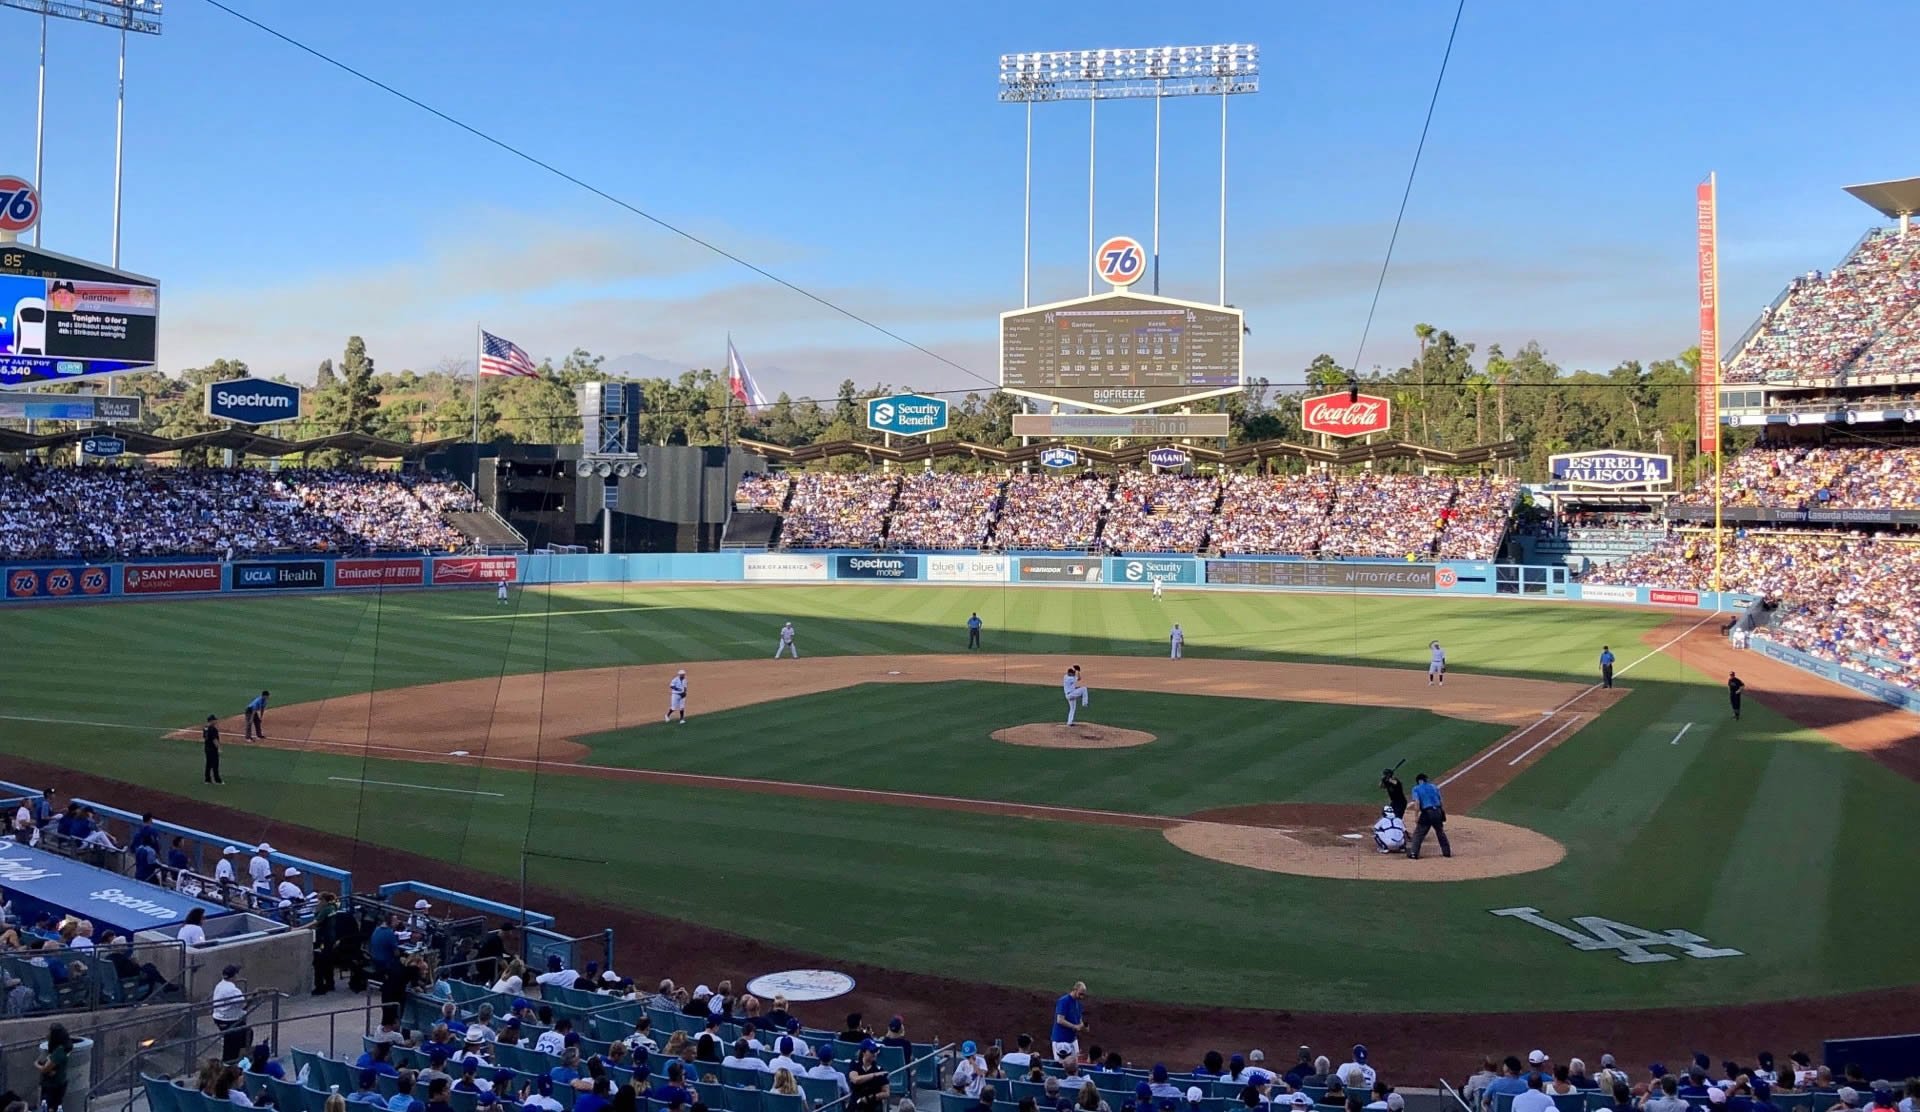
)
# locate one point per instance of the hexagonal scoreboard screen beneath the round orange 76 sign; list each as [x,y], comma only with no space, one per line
[1122,351]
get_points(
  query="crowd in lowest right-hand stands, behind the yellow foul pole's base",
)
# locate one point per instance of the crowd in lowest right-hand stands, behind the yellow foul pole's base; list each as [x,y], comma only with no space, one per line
[1844,598]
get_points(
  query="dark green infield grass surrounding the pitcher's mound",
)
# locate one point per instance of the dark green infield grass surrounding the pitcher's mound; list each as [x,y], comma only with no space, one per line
[938,738]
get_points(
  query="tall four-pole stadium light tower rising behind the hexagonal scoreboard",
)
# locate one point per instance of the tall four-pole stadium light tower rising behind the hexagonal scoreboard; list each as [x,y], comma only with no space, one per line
[1128,74]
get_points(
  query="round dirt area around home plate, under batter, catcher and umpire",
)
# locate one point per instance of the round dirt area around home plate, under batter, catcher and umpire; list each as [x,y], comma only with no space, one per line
[1481,850]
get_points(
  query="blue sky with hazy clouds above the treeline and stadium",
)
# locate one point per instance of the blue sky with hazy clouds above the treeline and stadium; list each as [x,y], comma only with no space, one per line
[859,151]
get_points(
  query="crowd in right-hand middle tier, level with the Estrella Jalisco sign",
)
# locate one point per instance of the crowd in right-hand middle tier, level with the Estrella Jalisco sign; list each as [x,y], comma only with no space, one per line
[1817,479]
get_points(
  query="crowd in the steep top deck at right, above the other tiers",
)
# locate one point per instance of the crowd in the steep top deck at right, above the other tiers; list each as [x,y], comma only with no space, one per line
[1829,320]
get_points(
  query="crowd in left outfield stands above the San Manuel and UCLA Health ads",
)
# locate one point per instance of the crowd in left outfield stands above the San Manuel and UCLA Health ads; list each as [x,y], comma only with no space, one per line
[153,512]
